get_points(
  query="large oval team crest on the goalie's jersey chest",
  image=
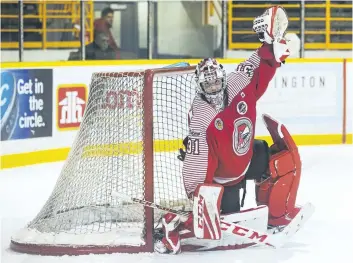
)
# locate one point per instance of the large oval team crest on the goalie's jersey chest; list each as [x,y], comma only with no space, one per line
[242,135]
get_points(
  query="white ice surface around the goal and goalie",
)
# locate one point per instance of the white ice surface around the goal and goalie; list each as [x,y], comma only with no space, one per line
[326,237]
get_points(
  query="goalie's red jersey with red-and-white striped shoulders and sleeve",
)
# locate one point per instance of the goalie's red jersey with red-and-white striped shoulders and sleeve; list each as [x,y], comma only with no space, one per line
[220,144]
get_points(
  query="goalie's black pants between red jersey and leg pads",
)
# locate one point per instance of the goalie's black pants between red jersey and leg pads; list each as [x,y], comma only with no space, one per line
[259,163]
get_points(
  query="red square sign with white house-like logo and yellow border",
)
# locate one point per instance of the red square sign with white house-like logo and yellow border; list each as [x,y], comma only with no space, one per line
[71,104]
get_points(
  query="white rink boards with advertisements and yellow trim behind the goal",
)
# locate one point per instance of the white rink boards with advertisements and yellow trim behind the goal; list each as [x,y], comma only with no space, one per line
[312,97]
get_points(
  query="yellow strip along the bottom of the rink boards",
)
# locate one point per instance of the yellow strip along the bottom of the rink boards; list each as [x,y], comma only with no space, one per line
[60,154]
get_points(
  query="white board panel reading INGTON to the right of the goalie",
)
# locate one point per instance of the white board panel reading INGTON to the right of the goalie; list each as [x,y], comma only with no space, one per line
[305,96]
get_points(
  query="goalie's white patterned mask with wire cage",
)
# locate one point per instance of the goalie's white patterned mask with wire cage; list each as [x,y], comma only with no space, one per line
[211,81]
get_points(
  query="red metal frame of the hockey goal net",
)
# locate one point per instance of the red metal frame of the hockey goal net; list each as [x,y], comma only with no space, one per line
[148,162]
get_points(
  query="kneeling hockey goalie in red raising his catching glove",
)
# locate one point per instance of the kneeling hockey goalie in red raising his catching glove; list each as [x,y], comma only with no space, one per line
[222,153]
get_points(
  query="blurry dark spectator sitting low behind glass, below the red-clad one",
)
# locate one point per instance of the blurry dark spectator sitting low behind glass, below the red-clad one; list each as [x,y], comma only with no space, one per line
[99,49]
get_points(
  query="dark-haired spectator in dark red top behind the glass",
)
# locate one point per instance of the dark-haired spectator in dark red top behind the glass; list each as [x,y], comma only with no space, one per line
[104,24]
